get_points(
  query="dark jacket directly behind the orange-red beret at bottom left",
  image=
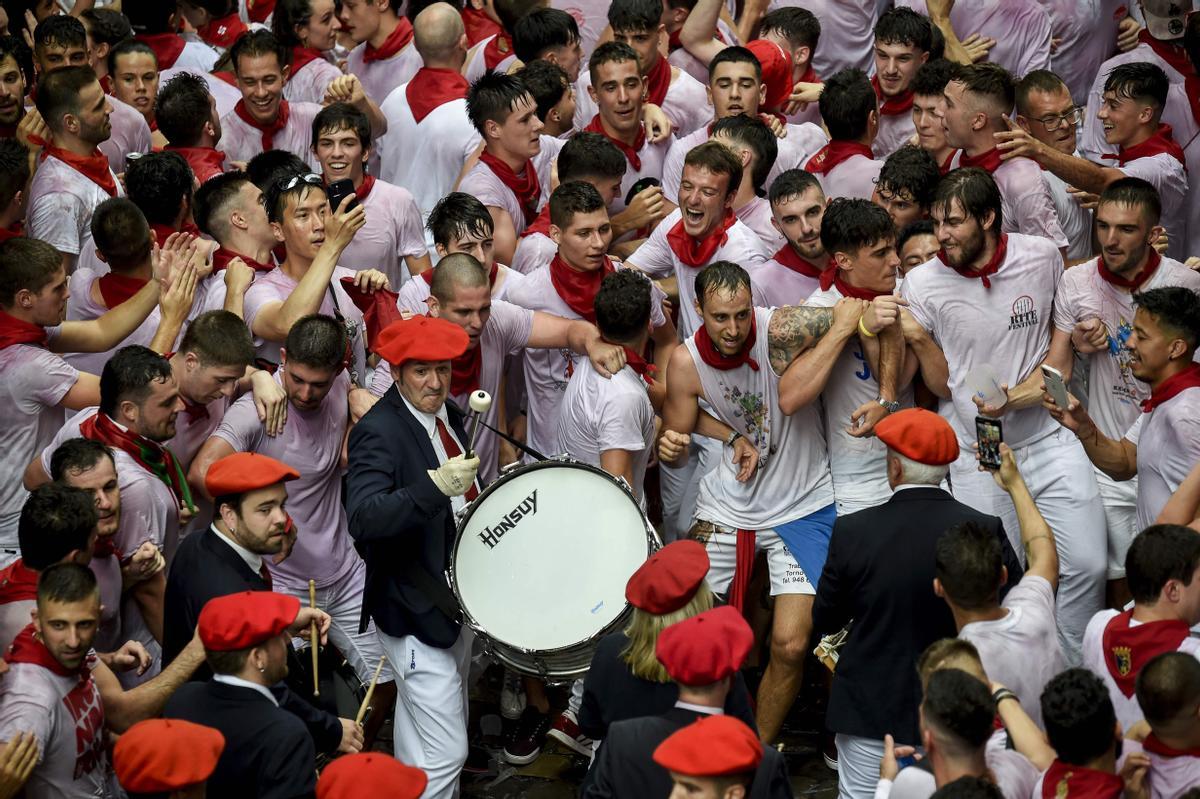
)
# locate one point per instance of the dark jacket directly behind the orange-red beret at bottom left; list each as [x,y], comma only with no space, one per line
[268,754]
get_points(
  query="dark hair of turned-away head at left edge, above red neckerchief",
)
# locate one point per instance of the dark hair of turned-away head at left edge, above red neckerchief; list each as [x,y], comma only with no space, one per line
[55,521]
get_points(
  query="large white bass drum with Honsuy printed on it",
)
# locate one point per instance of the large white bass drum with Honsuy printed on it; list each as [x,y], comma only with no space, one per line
[542,562]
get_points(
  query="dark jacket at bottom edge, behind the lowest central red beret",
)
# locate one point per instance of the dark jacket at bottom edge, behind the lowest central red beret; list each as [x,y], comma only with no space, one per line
[625,767]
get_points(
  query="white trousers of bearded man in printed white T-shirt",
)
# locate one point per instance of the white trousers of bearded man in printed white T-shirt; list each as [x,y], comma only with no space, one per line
[1064,485]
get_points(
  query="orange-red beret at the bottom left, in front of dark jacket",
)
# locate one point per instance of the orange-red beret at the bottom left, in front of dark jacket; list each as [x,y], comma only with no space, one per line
[164,755]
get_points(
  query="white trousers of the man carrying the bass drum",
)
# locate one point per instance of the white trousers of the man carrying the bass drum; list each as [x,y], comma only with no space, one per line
[431,708]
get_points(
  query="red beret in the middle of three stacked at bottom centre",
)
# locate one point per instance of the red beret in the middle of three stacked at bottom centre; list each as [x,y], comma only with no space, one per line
[705,648]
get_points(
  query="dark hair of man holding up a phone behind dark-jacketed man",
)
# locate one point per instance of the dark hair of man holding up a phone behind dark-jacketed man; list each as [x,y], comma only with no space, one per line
[969,563]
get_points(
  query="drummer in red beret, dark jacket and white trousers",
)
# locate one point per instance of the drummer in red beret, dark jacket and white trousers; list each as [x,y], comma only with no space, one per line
[407,478]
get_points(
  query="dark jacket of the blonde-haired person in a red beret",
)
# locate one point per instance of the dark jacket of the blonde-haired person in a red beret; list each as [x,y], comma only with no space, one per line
[613,694]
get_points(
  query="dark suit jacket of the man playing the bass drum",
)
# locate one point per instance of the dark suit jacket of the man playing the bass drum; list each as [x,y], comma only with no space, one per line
[398,516]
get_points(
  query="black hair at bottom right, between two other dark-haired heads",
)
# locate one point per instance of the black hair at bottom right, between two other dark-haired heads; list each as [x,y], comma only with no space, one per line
[1078,716]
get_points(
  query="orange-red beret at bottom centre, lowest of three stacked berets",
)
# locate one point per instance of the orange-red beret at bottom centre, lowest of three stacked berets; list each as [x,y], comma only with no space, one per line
[713,747]
